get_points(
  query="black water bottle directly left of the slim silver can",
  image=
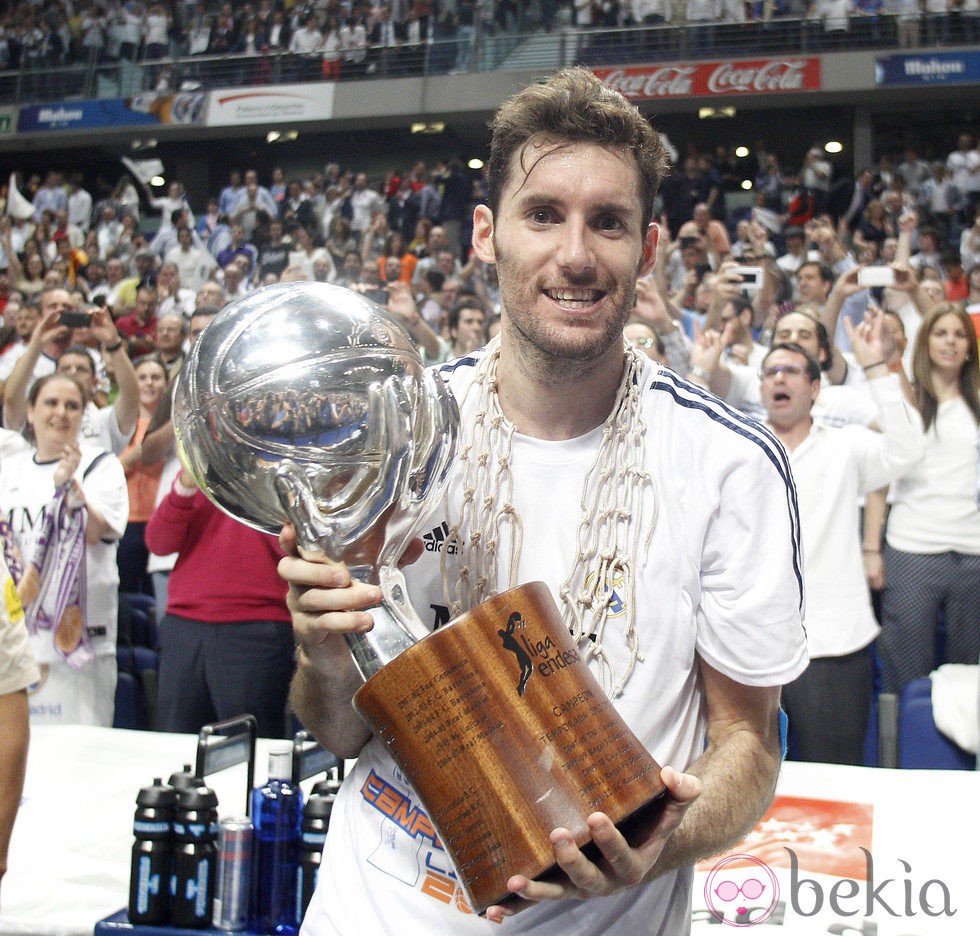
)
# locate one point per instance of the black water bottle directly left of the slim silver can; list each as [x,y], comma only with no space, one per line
[195,857]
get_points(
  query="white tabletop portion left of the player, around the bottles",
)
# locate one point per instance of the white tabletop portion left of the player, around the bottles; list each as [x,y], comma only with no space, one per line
[70,852]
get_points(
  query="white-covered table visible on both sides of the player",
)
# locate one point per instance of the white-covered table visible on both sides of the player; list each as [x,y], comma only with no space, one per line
[69,860]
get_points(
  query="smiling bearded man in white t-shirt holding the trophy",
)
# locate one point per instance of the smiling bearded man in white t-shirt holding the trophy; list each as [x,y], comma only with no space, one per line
[663,522]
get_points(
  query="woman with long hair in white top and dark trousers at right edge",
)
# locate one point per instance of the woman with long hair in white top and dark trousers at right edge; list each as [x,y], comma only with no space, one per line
[932,544]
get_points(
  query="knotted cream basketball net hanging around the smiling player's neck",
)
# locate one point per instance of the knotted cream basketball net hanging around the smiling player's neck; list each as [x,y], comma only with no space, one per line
[619,505]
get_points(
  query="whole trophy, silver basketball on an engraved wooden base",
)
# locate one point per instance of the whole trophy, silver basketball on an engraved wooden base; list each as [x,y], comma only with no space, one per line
[307,403]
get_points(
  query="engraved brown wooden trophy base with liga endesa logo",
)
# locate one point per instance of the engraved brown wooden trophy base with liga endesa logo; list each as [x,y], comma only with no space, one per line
[506,735]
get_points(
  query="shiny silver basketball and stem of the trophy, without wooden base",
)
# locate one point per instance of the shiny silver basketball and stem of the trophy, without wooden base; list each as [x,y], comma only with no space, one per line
[307,402]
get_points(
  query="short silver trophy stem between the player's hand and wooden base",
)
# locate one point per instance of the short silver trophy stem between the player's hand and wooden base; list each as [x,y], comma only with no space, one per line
[396,625]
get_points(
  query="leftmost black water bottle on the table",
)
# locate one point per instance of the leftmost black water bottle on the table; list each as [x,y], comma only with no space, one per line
[153,854]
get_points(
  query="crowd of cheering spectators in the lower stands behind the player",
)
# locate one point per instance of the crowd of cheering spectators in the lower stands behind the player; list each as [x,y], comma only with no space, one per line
[147,273]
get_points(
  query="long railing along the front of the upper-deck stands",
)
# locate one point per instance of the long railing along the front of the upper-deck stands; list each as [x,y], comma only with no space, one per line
[482,50]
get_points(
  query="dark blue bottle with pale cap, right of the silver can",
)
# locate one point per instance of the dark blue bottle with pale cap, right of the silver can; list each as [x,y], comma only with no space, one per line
[276,812]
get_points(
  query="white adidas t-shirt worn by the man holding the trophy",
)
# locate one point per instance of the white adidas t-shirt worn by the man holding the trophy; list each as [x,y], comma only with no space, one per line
[726,512]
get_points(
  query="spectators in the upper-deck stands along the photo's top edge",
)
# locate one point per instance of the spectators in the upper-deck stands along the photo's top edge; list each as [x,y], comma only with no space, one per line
[331,33]
